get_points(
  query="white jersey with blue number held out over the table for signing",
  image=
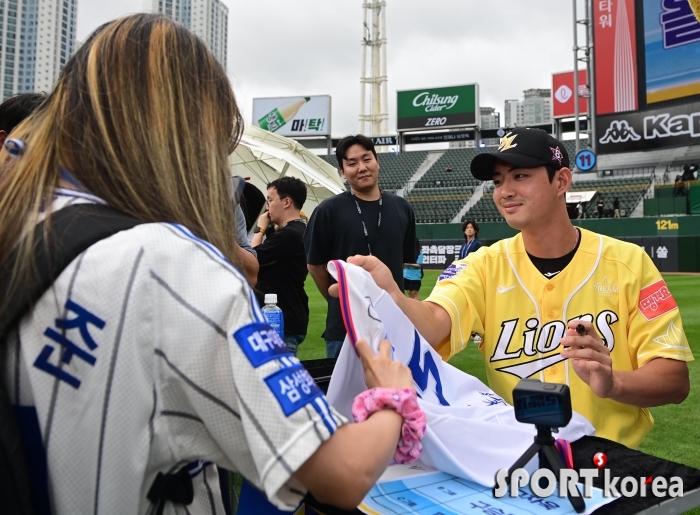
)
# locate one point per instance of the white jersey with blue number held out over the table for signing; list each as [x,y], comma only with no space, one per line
[472,431]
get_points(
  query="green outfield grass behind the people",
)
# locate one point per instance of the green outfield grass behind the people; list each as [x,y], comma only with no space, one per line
[676,435]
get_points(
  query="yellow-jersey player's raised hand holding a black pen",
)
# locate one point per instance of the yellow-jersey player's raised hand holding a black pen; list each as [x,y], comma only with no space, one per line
[590,358]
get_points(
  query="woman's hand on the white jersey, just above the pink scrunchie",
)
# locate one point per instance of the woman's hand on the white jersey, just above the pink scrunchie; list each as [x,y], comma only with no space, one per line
[380,370]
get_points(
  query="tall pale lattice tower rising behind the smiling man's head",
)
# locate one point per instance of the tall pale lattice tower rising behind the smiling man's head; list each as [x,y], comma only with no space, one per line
[375,117]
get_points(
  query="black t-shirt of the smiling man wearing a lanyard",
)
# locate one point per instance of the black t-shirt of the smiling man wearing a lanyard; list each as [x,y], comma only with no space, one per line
[335,232]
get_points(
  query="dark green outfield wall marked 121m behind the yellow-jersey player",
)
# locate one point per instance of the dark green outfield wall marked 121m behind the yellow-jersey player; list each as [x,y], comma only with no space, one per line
[673,242]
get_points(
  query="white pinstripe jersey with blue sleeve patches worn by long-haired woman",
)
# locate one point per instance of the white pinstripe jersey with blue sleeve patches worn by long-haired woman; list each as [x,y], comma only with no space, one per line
[131,367]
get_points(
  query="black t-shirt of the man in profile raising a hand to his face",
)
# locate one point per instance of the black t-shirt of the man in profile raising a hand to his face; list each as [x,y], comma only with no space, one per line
[283,271]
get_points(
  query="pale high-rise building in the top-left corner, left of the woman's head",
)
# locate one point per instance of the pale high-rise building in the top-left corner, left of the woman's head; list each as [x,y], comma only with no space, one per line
[37,38]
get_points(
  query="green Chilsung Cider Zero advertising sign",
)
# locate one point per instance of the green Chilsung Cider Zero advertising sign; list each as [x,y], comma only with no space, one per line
[437,108]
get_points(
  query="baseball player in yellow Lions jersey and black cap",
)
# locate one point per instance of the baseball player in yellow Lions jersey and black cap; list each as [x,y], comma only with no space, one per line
[526,296]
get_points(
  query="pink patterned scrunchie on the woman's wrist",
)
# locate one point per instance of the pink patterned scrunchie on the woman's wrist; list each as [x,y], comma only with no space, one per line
[405,402]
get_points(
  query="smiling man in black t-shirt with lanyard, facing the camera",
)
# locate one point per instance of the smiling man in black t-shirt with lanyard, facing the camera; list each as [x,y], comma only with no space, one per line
[364,220]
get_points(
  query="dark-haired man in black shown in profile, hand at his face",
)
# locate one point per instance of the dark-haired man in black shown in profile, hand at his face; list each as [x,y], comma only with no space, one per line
[282,258]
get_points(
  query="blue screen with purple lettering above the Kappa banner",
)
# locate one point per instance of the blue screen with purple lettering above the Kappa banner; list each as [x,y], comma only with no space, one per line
[671,50]
